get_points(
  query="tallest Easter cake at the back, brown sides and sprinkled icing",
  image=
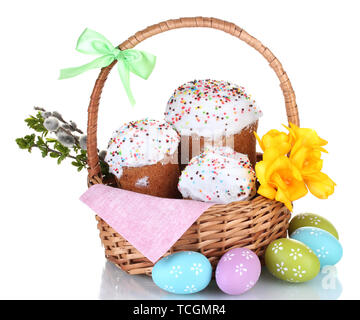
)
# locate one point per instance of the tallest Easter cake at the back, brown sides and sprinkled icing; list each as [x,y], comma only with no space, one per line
[215,113]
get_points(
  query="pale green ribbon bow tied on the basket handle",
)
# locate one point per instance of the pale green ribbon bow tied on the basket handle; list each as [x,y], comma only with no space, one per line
[138,62]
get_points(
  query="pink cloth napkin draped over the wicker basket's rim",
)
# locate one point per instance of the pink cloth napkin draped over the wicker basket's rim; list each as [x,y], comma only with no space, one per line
[151,224]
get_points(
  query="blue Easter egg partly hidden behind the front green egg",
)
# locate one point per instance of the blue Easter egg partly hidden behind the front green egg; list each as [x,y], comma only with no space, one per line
[326,247]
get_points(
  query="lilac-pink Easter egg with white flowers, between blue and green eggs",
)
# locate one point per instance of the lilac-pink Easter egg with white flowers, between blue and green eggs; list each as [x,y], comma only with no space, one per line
[237,271]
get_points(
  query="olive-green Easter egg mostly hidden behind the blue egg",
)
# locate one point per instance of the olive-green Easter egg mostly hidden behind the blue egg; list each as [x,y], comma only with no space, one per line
[312,220]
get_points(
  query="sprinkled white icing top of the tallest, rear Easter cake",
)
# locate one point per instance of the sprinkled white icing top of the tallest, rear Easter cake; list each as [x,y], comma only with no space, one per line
[211,108]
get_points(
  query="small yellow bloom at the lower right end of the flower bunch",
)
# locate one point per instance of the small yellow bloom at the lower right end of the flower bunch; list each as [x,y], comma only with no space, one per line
[320,185]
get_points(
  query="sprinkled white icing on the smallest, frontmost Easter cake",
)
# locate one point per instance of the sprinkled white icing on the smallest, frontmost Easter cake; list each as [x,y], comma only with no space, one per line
[218,175]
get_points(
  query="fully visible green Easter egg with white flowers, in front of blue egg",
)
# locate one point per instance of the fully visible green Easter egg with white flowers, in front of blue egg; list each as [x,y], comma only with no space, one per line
[291,260]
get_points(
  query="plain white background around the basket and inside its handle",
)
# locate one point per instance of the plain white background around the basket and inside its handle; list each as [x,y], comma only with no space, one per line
[49,243]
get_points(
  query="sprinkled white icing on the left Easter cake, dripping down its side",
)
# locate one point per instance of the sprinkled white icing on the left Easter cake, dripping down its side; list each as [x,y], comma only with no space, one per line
[140,143]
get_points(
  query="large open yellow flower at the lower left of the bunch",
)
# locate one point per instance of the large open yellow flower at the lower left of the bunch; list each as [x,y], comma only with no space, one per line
[279,178]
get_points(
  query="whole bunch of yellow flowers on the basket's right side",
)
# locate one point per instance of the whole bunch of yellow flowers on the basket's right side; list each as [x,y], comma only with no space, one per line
[286,179]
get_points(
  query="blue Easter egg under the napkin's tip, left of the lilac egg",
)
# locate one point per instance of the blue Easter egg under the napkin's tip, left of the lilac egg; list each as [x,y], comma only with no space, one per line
[182,272]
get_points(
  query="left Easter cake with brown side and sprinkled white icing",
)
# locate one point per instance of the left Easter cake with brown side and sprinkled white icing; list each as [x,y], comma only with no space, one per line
[143,157]
